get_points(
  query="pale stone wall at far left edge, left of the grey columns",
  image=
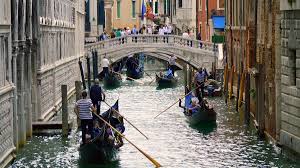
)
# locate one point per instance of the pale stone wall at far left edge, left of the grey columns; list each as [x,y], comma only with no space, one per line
[7,91]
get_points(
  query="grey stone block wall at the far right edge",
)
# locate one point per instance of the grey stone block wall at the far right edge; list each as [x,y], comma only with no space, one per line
[290,78]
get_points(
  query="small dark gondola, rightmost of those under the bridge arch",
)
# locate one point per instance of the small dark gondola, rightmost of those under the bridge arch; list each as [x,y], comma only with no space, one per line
[167,80]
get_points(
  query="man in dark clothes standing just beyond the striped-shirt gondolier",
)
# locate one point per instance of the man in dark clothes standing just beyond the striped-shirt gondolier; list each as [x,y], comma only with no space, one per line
[97,95]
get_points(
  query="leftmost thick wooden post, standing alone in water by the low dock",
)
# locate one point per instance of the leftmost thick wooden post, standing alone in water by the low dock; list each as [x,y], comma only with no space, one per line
[64,97]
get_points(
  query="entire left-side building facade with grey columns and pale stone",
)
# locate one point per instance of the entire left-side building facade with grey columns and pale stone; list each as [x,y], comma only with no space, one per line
[41,42]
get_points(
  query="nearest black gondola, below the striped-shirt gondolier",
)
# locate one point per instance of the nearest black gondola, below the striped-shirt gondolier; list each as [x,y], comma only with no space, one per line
[103,148]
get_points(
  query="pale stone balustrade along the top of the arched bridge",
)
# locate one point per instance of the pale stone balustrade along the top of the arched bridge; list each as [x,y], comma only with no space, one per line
[133,40]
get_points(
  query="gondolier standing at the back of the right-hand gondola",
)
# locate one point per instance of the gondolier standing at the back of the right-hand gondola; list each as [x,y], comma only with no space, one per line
[199,80]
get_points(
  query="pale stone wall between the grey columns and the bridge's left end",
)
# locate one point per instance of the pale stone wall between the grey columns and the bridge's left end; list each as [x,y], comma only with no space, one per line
[61,44]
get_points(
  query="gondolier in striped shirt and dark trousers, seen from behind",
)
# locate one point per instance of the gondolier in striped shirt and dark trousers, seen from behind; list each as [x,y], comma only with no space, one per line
[84,108]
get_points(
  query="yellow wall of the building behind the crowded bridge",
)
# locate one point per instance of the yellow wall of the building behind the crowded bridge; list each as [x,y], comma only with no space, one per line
[126,19]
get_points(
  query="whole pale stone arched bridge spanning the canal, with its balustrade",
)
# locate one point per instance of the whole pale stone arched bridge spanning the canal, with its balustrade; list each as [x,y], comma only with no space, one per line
[193,52]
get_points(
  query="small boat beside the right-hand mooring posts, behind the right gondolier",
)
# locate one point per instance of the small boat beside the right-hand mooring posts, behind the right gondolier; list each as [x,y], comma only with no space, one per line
[212,88]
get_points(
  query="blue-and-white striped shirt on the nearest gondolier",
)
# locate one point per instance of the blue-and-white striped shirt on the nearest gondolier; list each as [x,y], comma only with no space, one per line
[84,106]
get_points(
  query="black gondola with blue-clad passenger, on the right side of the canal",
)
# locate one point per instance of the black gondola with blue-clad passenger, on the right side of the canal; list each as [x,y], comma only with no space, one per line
[202,114]
